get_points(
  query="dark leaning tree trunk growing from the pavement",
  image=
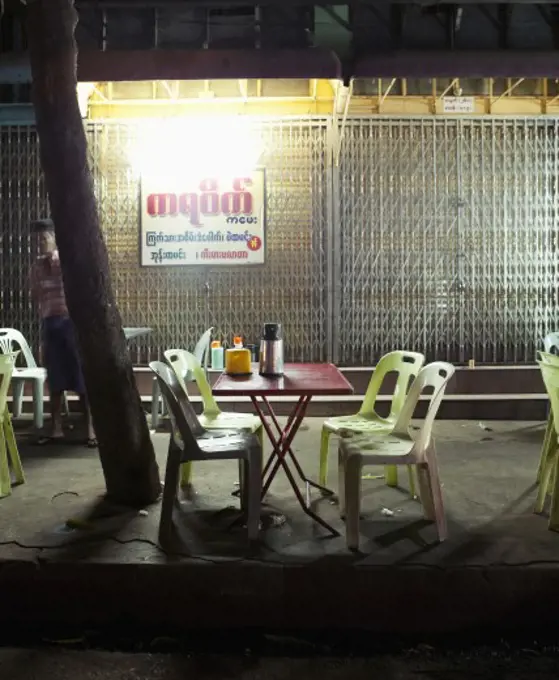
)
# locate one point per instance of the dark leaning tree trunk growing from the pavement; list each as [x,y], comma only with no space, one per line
[126,451]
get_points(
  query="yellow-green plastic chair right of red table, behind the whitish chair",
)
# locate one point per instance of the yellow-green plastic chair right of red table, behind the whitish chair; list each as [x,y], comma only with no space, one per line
[407,365]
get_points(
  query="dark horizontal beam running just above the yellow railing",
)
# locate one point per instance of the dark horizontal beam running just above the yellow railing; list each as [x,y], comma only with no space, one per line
[130,65]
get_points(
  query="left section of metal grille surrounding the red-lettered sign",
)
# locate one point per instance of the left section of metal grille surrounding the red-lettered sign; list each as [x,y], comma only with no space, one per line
[180,303]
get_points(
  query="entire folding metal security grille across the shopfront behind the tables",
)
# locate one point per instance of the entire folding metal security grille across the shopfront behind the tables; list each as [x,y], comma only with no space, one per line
[434,234]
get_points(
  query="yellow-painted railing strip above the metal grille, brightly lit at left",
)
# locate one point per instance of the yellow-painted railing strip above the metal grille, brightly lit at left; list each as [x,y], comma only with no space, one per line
[322,97]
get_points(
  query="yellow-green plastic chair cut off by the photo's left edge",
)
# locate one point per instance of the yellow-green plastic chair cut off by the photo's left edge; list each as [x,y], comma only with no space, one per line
[8,447]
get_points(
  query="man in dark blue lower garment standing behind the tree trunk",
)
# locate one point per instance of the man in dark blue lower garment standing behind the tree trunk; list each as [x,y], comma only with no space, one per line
[60,352]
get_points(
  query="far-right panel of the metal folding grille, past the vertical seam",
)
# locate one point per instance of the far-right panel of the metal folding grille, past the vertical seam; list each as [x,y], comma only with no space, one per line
[509,197]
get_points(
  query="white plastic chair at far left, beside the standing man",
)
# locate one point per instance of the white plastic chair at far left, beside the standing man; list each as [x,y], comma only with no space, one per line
[12,340]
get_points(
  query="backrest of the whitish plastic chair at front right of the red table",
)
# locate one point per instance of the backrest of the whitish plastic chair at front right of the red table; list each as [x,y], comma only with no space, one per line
[435,375]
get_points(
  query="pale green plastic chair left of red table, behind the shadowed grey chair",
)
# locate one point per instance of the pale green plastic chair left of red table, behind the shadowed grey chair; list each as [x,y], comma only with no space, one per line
[185,365]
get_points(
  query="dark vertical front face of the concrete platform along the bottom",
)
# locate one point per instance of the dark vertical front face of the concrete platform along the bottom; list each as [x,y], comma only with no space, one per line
[203,594]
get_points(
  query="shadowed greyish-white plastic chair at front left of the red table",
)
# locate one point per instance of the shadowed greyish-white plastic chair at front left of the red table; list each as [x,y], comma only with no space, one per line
[190,441]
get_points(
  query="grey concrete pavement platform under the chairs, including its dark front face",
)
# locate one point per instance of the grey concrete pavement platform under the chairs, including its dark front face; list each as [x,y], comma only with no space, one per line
[499,568]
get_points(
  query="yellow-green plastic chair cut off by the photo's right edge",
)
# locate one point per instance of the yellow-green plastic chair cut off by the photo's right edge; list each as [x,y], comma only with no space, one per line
[548,478]
